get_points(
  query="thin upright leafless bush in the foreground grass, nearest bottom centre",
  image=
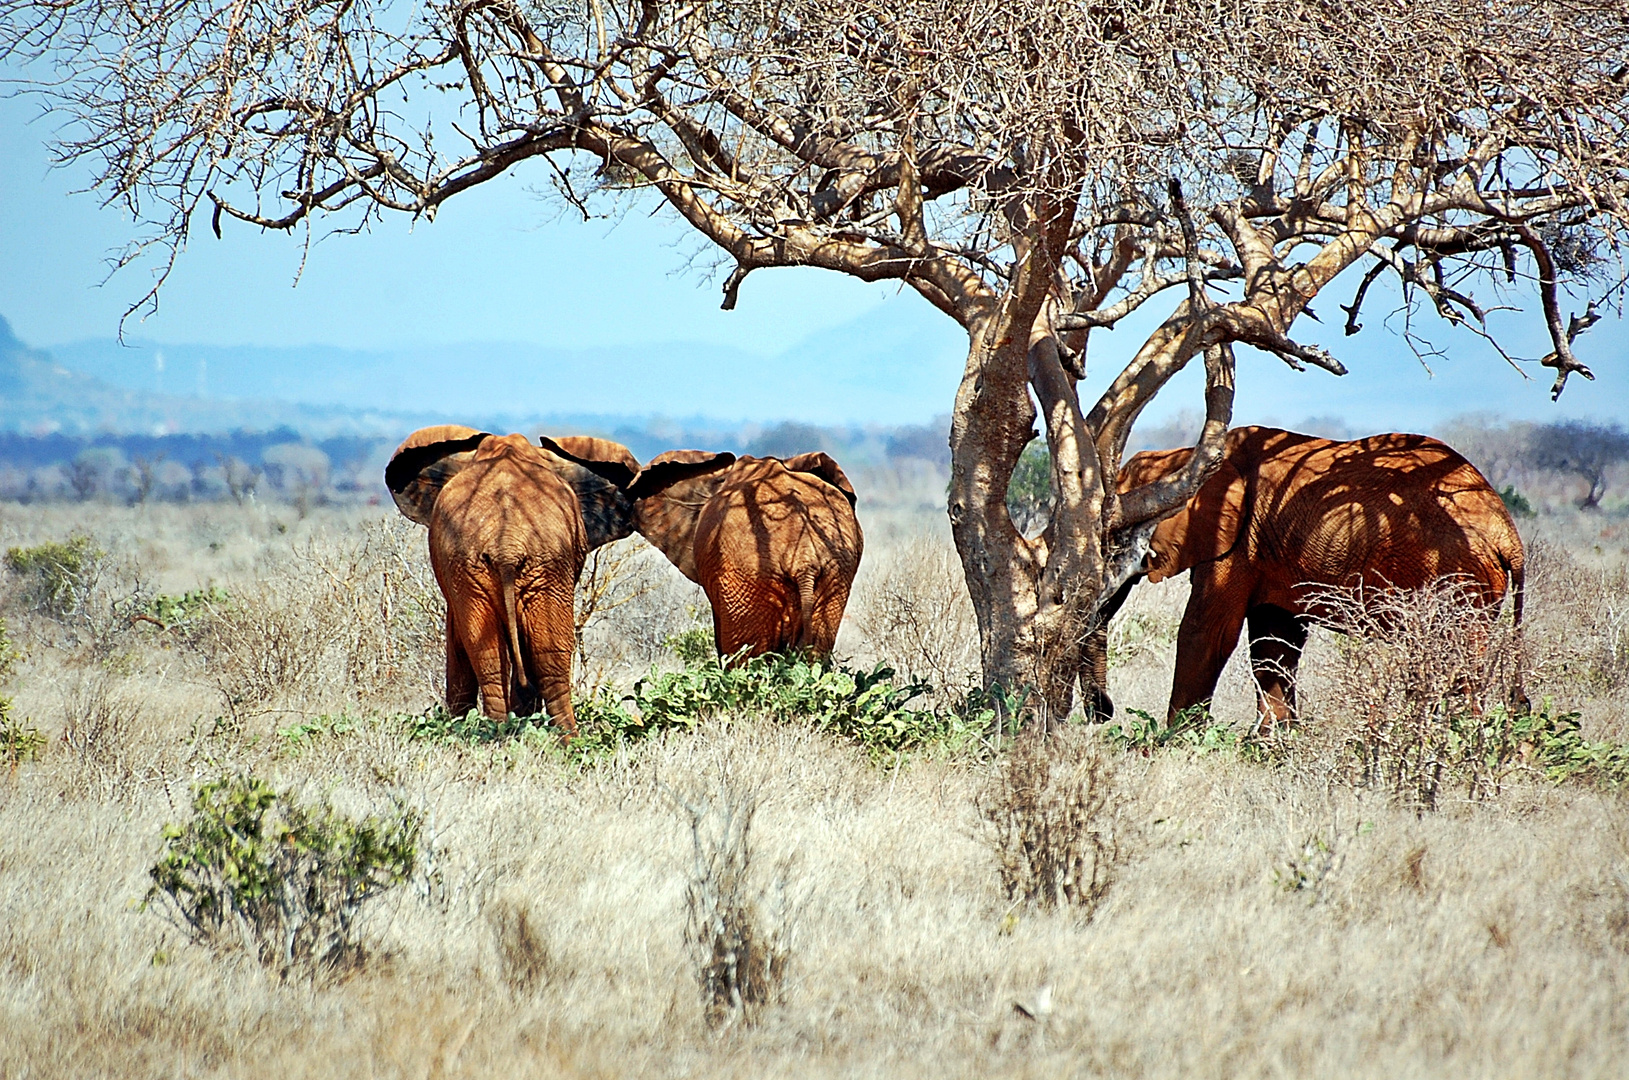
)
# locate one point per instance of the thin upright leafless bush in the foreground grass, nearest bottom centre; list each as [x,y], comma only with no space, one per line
[740,952]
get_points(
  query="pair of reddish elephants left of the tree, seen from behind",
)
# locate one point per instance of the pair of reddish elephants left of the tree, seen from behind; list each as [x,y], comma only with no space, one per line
[775,543]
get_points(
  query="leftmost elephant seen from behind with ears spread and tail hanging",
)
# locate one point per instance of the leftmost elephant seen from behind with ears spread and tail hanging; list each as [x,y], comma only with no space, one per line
[511,525]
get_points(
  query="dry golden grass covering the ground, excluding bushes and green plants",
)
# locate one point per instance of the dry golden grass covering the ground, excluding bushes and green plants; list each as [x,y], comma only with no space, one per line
[1262,921]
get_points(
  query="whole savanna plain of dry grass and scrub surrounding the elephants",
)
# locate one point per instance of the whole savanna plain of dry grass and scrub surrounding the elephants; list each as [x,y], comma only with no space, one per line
[753,892]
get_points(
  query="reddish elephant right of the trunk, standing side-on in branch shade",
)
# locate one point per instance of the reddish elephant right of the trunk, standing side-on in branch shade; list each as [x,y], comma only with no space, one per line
[1288,516]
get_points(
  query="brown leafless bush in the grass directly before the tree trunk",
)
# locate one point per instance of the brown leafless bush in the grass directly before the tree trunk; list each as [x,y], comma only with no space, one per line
[1052,815]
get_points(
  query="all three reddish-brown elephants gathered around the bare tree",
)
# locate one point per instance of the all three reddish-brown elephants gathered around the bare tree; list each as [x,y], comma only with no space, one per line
[776,545]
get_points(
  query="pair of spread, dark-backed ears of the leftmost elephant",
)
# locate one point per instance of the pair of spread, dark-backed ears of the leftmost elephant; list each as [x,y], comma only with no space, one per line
[597,470]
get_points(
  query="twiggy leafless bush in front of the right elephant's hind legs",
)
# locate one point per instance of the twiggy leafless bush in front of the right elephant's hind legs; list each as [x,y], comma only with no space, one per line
[1425,683]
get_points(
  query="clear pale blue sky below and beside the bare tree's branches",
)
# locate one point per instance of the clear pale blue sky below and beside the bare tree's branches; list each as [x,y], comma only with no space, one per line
[504,265]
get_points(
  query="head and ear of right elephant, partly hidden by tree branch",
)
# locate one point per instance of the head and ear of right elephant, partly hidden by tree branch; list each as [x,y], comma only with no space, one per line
[1203,530]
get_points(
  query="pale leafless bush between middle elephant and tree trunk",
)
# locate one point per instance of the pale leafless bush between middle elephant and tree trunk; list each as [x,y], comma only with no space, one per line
[916,613]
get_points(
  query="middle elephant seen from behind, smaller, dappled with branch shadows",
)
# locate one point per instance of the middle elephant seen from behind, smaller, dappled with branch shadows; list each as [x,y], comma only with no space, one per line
[773,542]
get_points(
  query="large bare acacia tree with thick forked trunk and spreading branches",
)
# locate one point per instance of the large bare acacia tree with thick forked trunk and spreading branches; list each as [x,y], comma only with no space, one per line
[1035,170]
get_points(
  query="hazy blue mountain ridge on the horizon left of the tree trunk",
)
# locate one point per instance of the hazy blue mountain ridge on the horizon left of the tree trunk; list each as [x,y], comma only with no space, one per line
[895,366]
